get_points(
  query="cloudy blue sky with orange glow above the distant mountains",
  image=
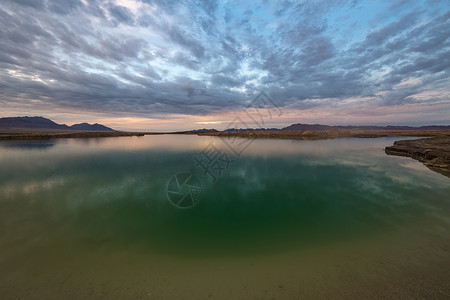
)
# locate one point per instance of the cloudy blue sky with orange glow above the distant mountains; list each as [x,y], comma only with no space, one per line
[180,65]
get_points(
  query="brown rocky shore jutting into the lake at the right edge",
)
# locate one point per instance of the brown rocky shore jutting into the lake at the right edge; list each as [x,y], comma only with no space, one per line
[433,152]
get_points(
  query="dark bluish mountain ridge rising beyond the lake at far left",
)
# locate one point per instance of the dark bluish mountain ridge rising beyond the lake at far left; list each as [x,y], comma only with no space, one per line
[41,123]
